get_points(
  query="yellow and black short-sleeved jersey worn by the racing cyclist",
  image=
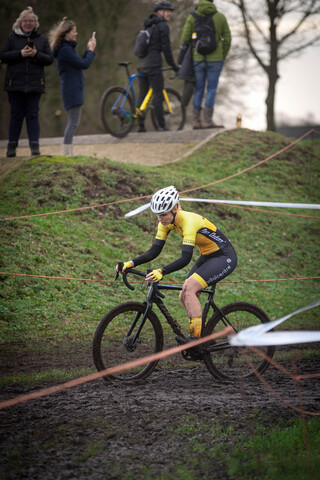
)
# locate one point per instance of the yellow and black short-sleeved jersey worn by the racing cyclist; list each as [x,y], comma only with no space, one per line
[195,230]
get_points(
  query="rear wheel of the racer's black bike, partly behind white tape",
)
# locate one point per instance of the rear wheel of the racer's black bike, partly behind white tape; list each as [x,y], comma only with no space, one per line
[229,363]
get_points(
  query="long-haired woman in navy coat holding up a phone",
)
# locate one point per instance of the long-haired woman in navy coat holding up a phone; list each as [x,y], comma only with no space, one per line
[63,41]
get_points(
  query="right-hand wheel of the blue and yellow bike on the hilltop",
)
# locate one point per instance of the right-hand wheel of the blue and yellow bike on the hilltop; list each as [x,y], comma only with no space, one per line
[174,120]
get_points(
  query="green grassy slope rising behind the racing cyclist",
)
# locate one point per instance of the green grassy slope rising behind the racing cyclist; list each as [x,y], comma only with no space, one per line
[43,314]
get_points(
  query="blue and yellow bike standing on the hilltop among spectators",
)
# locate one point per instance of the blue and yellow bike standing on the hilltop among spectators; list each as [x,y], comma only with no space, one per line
[118,107]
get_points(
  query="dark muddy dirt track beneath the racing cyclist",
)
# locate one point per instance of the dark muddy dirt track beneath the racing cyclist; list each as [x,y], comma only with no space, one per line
[104,430]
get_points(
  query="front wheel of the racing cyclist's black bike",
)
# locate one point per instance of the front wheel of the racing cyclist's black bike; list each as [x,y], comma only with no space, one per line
[117,340]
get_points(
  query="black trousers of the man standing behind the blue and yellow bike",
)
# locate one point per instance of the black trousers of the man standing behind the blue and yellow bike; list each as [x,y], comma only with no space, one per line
[154,79]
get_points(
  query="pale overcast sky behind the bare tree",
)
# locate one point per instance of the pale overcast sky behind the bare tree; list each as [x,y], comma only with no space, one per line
[297,90]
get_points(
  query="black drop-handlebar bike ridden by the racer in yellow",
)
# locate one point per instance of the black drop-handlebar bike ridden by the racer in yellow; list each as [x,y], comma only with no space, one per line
[132,330]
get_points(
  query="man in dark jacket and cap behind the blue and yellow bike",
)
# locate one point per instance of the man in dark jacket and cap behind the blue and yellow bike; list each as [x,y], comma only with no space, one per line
[151,64]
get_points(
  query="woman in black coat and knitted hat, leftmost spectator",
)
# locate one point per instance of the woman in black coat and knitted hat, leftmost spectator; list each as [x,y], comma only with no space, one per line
[26,52]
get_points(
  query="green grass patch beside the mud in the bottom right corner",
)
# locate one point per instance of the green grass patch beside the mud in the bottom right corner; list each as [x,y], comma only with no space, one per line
[282,451]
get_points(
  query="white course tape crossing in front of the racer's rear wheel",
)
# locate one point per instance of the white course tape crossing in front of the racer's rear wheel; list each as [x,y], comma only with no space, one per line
[259,335]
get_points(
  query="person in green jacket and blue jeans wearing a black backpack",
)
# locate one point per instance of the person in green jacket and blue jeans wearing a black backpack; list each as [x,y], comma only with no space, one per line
[209,33]
